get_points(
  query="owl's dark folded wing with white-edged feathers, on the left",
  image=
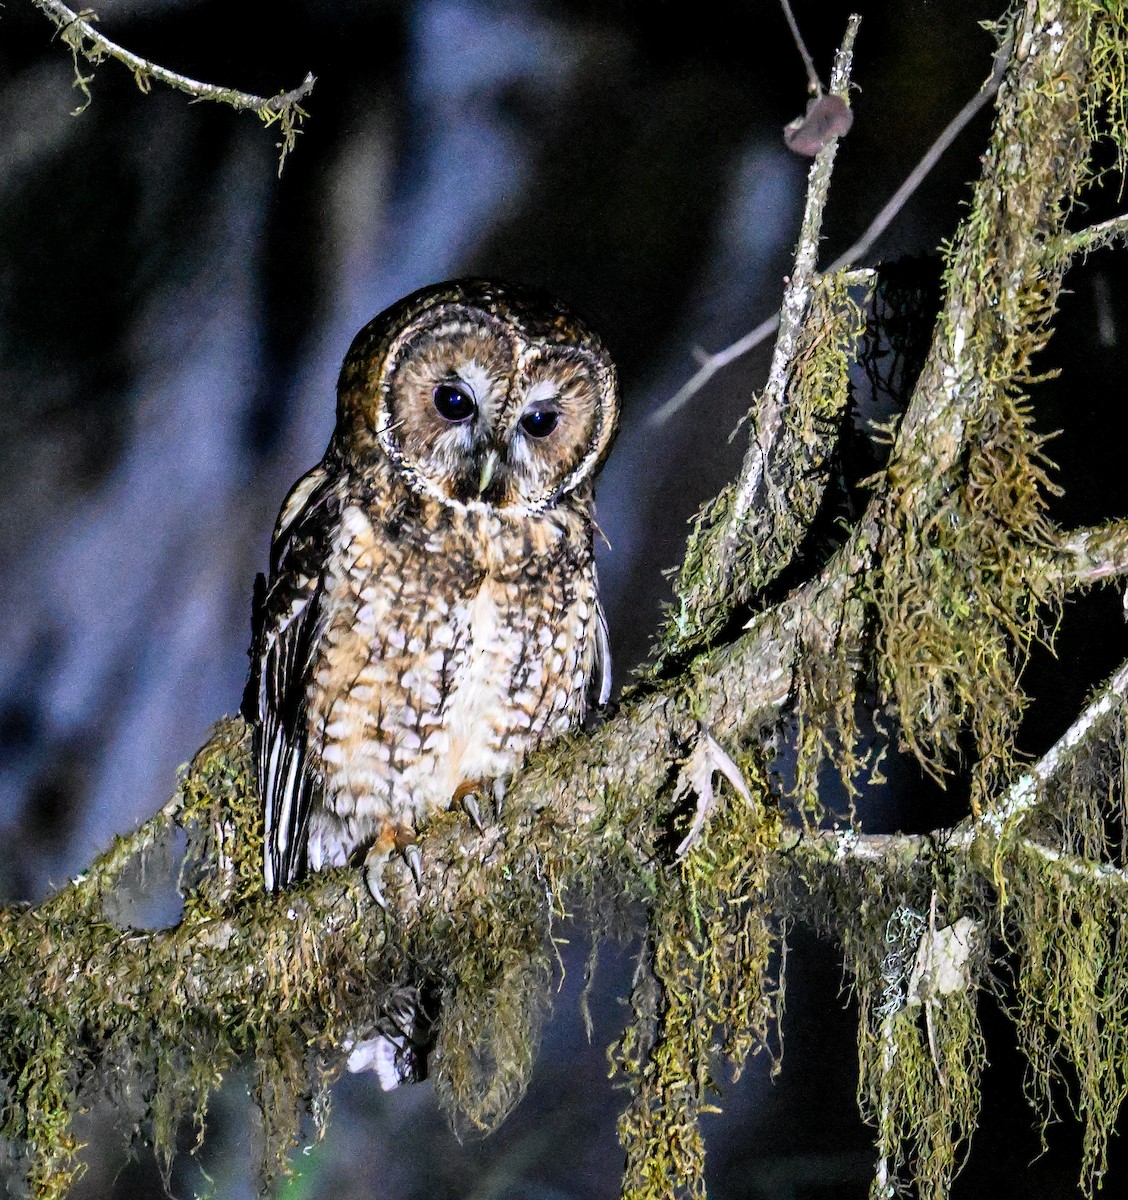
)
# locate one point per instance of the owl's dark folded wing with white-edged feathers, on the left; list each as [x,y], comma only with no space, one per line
[290,625]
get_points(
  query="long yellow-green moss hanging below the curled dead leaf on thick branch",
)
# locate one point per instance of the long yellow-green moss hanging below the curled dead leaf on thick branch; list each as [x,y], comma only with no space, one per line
[705,992]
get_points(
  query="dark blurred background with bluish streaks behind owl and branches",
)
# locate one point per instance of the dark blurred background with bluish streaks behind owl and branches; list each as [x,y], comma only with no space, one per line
[172,320]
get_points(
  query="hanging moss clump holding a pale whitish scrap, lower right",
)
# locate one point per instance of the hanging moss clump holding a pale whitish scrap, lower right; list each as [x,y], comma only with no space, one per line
[915,934]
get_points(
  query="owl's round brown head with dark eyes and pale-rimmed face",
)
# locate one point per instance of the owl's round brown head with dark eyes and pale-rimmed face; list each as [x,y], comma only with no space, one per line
[481,393]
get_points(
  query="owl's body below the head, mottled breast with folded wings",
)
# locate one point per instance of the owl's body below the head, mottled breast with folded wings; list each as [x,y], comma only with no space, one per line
[406,646]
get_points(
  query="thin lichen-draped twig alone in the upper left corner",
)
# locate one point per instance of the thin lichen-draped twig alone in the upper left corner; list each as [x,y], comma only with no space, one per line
[79,32]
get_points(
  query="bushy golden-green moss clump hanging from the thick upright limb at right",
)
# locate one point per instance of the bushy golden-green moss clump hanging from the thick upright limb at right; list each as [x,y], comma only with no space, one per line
[957,607]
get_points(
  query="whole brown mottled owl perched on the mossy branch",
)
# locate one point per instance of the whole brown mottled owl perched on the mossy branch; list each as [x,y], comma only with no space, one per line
[431,613]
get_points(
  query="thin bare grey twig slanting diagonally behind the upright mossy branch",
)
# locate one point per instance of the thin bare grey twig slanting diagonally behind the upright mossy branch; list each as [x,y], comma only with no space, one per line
[713,363]
